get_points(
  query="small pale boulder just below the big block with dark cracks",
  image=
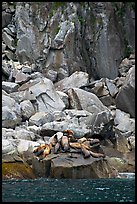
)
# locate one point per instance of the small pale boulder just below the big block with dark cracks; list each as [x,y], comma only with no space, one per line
[40,118]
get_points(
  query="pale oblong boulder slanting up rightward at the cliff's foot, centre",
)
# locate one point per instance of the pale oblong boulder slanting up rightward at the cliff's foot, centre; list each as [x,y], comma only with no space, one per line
[76,80]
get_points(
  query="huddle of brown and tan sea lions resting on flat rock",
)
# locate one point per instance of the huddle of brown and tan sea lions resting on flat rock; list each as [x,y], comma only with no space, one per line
[64,141]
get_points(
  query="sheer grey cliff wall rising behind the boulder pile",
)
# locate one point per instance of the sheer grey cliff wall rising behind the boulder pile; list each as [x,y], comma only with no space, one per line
[69,37]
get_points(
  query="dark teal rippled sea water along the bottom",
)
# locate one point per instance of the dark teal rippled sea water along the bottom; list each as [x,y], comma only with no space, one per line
[69,190]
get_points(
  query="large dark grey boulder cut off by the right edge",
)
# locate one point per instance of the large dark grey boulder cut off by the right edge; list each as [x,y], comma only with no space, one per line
[125,99]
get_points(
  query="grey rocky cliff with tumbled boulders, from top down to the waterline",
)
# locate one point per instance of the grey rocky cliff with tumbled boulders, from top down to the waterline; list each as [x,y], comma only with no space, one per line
[69,65]
